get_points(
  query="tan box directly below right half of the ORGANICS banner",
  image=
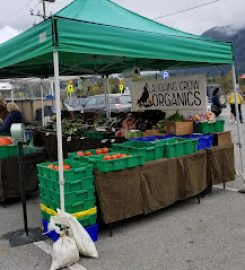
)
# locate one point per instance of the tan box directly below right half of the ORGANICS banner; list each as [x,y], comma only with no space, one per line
[179,128]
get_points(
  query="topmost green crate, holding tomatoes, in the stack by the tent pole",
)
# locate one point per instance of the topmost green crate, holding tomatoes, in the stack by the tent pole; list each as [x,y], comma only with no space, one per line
[78,170]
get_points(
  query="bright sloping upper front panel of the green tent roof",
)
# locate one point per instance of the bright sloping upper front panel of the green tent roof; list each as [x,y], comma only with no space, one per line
[106,12]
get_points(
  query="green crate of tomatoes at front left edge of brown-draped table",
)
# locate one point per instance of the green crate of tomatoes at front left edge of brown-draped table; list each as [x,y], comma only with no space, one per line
[114,161]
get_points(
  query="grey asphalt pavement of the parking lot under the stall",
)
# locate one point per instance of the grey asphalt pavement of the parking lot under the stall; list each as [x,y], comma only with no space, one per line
[184,236]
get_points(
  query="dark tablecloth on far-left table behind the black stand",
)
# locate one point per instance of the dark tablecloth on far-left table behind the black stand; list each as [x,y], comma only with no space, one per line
[9,175]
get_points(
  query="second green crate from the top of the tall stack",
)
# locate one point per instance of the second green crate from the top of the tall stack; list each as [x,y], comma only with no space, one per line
[81,184]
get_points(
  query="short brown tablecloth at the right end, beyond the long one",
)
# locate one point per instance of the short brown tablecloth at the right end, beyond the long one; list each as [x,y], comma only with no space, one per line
[221,164]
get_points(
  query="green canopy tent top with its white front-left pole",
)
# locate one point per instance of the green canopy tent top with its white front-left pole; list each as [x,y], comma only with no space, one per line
[100,37]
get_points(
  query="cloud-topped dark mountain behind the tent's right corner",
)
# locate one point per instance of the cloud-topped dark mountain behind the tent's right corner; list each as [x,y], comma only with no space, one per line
[234,34]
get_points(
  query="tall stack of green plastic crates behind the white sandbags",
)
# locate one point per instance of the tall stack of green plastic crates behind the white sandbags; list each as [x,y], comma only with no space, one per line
[79,189]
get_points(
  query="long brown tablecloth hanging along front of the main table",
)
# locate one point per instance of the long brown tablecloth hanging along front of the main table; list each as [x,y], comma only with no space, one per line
[150,187]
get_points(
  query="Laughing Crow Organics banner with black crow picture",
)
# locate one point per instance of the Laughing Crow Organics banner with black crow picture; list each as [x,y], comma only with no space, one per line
[183,94]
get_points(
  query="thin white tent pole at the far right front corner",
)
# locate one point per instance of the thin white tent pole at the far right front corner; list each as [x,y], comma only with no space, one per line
[238,128]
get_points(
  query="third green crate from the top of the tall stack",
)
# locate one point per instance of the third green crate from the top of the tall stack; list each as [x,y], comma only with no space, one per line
[70,197]
